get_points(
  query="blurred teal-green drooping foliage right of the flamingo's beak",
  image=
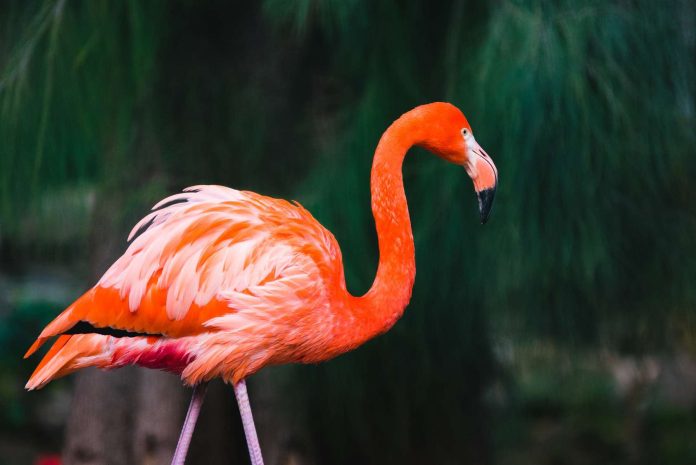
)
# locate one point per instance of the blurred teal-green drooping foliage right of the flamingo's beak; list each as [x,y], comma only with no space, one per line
[597,116]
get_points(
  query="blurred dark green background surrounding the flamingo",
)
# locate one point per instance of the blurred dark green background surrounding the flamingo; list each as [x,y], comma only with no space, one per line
[562,332]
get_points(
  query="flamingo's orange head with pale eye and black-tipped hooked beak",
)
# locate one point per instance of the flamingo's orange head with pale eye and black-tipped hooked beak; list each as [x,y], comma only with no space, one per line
[449,135]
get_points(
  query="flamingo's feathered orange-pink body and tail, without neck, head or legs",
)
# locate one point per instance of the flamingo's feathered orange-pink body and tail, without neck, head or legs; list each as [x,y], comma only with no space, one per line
[222,282]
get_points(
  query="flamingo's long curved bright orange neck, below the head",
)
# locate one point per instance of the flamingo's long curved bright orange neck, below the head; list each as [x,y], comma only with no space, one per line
[396,272]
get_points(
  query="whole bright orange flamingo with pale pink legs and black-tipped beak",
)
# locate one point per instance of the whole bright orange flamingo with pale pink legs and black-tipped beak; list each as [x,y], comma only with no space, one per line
[221,283]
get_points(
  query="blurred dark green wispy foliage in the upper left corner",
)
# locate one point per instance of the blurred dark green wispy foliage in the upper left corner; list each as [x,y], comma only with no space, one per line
[69,93]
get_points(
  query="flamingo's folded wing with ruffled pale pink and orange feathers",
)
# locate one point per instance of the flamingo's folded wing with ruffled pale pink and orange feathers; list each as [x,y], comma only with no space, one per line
[213,260]
